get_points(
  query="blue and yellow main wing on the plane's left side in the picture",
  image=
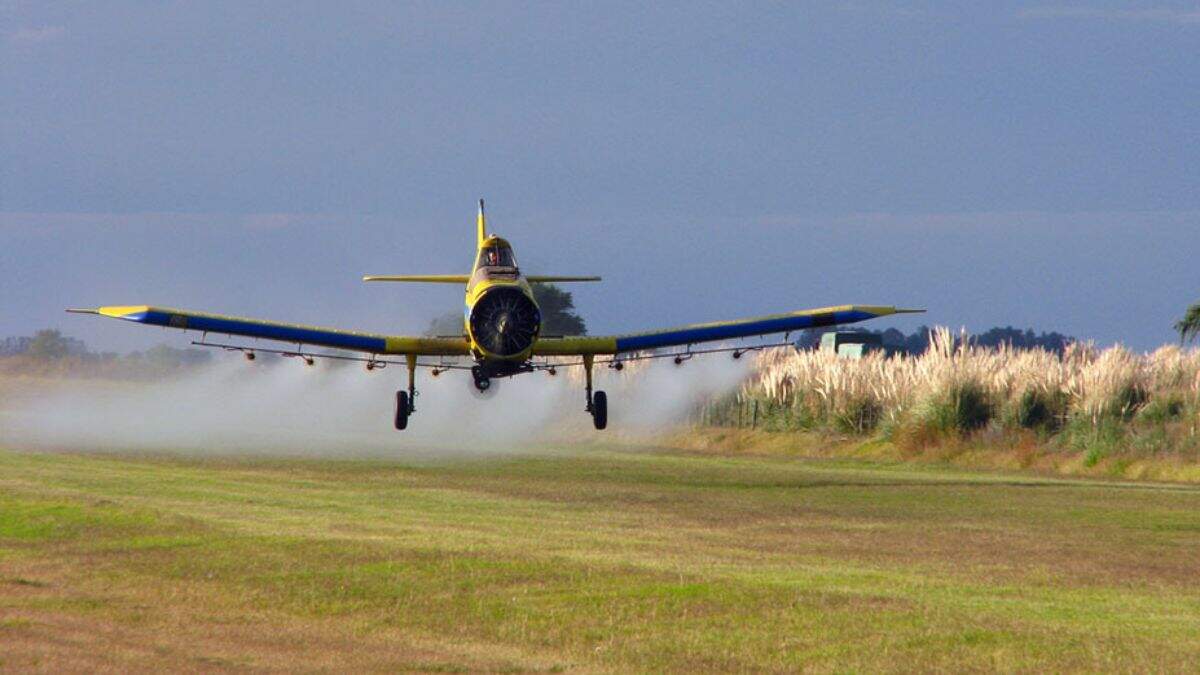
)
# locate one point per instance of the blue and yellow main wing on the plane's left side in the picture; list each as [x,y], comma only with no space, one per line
[352,341]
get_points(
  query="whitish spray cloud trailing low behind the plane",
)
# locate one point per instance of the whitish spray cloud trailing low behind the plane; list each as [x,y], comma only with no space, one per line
[281,408]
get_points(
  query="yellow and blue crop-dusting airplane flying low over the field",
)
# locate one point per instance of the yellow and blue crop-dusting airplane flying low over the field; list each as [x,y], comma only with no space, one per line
[502,332]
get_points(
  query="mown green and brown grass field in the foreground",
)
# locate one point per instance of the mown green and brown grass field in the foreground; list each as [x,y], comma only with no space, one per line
[589,560]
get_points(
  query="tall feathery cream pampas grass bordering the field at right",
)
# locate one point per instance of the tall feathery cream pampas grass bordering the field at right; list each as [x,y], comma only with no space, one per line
[956,390]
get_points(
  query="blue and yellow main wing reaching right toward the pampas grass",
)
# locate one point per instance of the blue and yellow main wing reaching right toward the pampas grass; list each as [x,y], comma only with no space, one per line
[712,332]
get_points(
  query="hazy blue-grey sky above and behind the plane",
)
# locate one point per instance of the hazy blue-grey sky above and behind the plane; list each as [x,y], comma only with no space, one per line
[1025,164]
